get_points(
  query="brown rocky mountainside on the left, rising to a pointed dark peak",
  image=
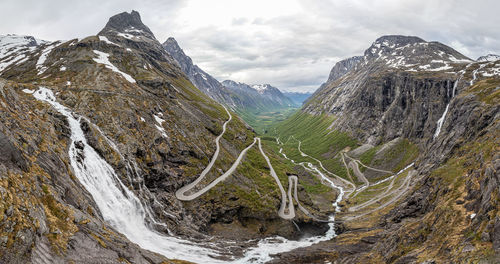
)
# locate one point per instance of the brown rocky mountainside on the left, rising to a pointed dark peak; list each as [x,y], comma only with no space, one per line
[142,115]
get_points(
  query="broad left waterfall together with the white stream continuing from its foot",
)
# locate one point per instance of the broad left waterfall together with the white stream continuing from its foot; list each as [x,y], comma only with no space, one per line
[121,208]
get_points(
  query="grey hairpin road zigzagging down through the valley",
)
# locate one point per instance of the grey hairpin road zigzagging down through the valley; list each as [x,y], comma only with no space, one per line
[287,207]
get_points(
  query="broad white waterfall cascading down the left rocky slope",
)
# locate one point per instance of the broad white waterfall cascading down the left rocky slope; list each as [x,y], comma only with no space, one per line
[118,205]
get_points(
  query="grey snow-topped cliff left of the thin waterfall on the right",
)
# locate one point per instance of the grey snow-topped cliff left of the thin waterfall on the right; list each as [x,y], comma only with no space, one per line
[400,88]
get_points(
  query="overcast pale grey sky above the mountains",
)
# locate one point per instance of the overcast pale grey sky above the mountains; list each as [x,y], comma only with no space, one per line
[291,44]
